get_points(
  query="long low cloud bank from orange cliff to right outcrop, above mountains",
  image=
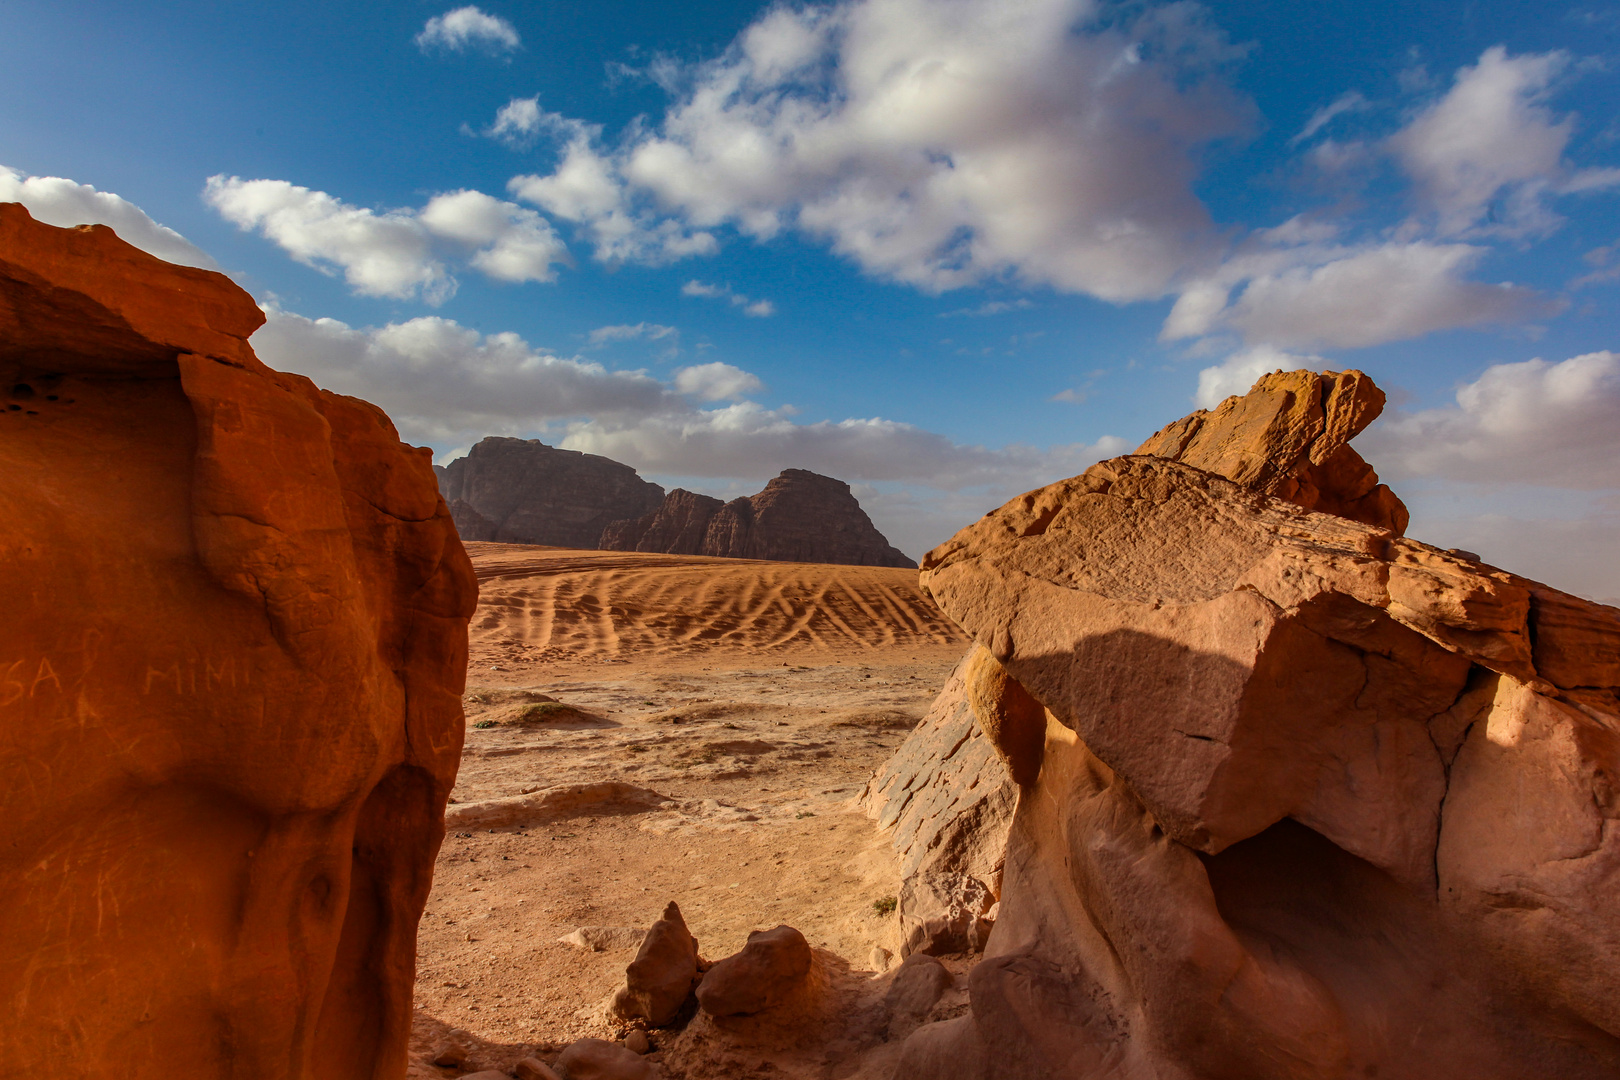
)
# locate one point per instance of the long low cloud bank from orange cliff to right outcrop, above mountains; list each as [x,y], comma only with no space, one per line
[448,386]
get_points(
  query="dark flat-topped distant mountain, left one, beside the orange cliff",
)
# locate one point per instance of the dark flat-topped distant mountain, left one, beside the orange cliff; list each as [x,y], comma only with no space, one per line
[521,491]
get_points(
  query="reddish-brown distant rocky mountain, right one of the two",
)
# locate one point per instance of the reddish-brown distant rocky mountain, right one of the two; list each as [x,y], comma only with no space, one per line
[799,517]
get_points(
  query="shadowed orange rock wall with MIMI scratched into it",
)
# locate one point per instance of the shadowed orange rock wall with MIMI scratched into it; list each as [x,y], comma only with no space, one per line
[231,673]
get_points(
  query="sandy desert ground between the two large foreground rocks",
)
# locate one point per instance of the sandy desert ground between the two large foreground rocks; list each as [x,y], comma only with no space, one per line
[754,697]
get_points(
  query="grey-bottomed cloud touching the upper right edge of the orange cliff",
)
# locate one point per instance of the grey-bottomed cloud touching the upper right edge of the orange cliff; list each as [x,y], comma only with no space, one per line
[445,383]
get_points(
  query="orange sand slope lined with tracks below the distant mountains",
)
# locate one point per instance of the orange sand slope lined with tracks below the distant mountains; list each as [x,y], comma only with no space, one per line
[552,603]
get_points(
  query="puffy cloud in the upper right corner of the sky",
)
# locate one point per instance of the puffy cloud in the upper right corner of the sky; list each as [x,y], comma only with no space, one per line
[1490,153]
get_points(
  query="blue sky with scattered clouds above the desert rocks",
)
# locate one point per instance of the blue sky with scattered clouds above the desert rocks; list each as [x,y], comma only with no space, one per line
[944,250]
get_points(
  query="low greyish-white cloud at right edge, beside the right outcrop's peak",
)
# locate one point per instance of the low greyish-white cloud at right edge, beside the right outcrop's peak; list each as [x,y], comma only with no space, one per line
[1554,425]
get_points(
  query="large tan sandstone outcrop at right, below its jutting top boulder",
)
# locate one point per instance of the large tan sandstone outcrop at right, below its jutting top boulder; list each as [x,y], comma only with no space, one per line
[1315,801]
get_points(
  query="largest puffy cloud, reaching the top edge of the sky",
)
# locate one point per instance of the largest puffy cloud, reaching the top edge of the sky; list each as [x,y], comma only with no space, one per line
[940,143]
